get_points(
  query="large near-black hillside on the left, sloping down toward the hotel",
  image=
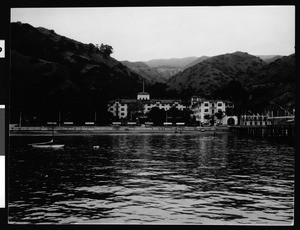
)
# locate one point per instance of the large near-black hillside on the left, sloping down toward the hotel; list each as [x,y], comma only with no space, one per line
[50,72]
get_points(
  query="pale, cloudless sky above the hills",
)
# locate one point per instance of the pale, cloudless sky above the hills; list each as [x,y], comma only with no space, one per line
[145,33]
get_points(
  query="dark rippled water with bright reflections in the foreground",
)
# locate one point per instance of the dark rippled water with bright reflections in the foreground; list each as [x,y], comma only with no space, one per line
[152,179]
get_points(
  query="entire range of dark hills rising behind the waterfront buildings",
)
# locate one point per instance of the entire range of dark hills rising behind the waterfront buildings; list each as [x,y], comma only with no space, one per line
[52,71]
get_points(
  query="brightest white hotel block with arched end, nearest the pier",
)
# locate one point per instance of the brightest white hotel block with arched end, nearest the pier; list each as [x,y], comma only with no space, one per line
[201,107]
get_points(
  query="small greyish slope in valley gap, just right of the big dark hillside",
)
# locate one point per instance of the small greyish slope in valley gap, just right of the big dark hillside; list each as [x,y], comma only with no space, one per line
[145,71]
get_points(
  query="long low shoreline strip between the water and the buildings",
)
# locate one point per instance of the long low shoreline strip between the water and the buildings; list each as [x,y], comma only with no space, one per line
[99,130]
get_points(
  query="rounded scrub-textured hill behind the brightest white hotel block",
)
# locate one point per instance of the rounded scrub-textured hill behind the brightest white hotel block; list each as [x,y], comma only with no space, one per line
[207,76]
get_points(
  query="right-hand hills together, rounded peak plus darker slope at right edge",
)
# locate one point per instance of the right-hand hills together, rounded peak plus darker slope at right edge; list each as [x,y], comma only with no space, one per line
[241,77]
